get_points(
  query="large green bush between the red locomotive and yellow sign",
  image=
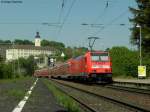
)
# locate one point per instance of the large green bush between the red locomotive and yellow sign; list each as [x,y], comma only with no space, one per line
[124,61]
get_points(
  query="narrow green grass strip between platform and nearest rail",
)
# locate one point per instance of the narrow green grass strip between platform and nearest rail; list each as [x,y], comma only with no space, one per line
[64,100]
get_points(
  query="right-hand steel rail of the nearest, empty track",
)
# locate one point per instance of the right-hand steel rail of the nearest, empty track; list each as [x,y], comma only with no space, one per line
[126,104]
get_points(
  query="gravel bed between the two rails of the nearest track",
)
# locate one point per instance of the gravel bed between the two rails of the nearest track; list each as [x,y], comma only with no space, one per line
[100,105]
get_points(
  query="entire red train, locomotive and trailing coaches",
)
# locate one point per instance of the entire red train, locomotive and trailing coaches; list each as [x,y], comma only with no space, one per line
[93,66]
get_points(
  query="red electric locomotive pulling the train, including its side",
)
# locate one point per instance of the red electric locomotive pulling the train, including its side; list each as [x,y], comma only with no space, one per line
[93,66]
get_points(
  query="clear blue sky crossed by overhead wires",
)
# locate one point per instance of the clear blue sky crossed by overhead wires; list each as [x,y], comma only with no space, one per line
[62,21]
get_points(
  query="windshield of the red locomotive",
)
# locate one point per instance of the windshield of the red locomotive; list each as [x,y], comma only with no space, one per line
[99,57]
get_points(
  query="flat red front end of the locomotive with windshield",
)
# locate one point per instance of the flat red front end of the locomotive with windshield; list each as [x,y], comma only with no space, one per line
[100,66]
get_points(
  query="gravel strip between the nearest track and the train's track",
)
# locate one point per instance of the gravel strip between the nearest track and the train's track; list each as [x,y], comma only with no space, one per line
[129,97]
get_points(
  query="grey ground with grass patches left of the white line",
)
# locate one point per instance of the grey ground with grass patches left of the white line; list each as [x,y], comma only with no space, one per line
[12,91]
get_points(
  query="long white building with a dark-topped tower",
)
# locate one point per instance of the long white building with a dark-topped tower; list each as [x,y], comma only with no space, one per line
[17,51]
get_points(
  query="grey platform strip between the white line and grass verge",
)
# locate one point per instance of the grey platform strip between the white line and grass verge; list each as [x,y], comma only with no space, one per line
[41,100]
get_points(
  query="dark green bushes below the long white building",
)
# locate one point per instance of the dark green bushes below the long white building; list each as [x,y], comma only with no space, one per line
[13,70]
